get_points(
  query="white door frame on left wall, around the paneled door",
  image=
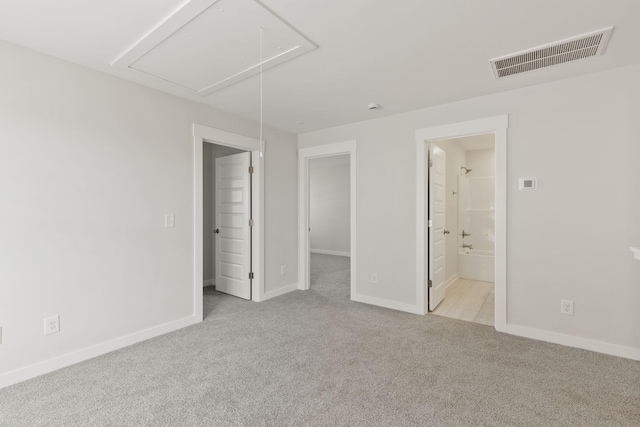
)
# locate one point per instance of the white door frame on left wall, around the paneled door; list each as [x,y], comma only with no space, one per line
[211,135]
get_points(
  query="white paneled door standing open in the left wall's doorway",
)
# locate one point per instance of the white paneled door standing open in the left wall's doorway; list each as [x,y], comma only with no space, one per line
[233,233]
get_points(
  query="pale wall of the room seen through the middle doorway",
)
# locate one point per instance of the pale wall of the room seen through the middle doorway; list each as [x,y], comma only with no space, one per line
[329,213]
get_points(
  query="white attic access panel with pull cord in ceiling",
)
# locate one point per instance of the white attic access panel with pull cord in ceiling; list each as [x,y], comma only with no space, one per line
[206,47]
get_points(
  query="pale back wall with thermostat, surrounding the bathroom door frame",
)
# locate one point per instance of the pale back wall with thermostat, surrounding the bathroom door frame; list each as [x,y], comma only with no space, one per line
[568,240]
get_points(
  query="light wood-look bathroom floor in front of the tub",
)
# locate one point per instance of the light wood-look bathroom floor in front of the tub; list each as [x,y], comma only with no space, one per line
[469,300]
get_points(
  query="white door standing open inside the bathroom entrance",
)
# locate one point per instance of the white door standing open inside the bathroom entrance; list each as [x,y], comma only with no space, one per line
[437,205]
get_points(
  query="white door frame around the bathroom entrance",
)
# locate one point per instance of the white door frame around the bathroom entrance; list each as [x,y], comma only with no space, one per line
[498,126]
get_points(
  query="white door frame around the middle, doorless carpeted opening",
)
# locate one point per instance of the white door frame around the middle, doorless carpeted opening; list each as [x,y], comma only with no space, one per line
[304,155]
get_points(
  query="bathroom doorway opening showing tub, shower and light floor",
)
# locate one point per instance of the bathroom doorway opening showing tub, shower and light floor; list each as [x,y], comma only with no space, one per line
[468,229]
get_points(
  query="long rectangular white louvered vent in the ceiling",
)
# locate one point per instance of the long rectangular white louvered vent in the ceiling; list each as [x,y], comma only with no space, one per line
[571,49]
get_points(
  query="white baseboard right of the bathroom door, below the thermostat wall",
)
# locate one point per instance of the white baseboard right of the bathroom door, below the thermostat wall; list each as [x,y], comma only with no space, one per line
[571,341]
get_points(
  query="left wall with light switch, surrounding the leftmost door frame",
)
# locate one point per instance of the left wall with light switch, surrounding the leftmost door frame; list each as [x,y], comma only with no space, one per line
[89,166]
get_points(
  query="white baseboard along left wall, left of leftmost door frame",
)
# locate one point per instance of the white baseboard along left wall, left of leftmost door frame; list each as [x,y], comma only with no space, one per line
[50,365]
